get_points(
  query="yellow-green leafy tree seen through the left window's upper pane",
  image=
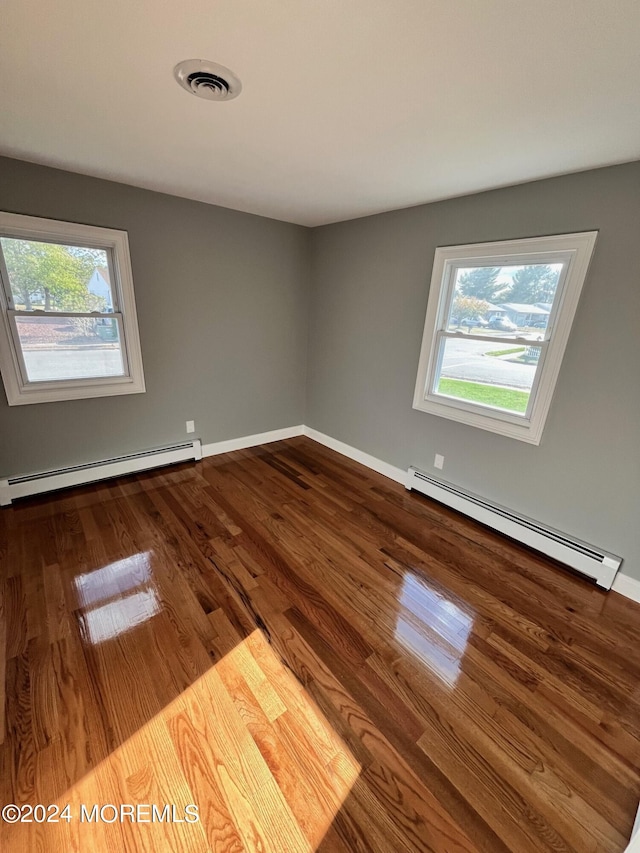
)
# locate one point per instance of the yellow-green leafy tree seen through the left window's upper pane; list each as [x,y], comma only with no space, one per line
[49,276]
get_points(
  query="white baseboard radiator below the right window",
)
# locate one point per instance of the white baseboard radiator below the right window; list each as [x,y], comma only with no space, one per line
[584,558]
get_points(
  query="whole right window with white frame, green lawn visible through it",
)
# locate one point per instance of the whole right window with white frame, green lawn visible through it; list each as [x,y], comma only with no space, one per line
[498,320]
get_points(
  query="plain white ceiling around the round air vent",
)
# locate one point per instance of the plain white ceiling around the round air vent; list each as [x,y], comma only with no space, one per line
[349,107]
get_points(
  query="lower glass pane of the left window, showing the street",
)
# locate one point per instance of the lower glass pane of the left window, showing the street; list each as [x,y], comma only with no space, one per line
[70,347]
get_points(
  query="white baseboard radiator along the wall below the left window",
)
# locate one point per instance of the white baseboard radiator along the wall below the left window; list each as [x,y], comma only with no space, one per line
[76,475]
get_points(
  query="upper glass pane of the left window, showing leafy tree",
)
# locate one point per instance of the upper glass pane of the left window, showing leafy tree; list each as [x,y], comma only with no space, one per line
[55,277]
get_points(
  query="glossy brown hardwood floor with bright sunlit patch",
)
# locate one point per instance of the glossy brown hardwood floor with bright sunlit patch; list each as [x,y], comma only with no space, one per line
[316,659]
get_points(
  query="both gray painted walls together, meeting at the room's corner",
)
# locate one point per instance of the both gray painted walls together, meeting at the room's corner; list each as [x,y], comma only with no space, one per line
[223,306]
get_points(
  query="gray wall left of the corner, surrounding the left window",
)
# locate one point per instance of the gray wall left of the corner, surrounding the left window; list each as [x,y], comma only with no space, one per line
[222,300]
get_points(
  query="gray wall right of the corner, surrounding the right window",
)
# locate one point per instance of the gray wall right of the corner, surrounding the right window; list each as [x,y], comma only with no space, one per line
[369,296]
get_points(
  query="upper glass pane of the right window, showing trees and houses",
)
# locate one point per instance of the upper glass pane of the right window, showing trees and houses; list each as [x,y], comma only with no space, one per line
[511,300]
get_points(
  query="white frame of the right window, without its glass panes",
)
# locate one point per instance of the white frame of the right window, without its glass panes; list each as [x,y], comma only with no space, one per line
[574,251]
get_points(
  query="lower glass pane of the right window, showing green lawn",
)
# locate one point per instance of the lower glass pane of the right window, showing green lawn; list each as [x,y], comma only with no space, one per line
[488,374]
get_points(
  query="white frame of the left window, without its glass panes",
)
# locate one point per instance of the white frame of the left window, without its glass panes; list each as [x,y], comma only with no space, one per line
[18,388]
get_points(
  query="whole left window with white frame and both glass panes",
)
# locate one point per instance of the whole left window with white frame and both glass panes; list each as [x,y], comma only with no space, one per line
[68,328]
